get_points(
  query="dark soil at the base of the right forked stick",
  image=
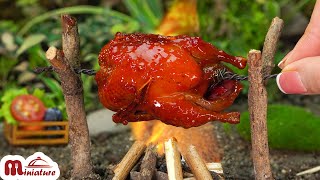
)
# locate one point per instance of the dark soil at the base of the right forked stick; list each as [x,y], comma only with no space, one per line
[237,163]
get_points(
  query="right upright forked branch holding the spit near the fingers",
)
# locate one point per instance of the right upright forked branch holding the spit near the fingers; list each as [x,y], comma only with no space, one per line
[258,101]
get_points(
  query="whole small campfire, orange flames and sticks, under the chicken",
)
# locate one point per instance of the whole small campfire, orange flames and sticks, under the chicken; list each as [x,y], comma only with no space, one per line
[171,153]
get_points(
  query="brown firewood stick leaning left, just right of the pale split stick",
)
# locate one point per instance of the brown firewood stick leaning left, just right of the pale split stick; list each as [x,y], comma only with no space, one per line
[196,164]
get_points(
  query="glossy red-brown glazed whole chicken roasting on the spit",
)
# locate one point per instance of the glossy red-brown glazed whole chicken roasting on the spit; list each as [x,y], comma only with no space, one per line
[170,78]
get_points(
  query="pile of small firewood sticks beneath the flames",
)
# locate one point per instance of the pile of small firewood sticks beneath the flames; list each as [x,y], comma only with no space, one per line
[154,166]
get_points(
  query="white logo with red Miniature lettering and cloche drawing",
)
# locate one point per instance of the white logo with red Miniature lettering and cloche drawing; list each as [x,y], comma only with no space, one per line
[36,166]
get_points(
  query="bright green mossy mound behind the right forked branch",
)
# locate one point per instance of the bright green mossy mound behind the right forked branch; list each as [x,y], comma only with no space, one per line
[289,127]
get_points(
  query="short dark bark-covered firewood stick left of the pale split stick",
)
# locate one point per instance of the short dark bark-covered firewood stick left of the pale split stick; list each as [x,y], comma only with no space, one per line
[148,165]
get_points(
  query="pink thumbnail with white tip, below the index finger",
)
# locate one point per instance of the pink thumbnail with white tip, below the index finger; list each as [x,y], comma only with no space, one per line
[290,83]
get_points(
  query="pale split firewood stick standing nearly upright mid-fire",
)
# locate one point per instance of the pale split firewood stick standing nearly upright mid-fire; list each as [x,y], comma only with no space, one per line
[173,159]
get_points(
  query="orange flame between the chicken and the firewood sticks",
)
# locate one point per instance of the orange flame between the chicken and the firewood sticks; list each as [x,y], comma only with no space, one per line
[156,132]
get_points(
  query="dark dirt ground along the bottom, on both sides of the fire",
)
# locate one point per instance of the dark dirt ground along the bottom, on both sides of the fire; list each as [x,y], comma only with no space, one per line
[108,149]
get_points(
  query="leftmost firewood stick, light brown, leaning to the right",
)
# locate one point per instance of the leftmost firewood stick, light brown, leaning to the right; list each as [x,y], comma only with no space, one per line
[122,170]
